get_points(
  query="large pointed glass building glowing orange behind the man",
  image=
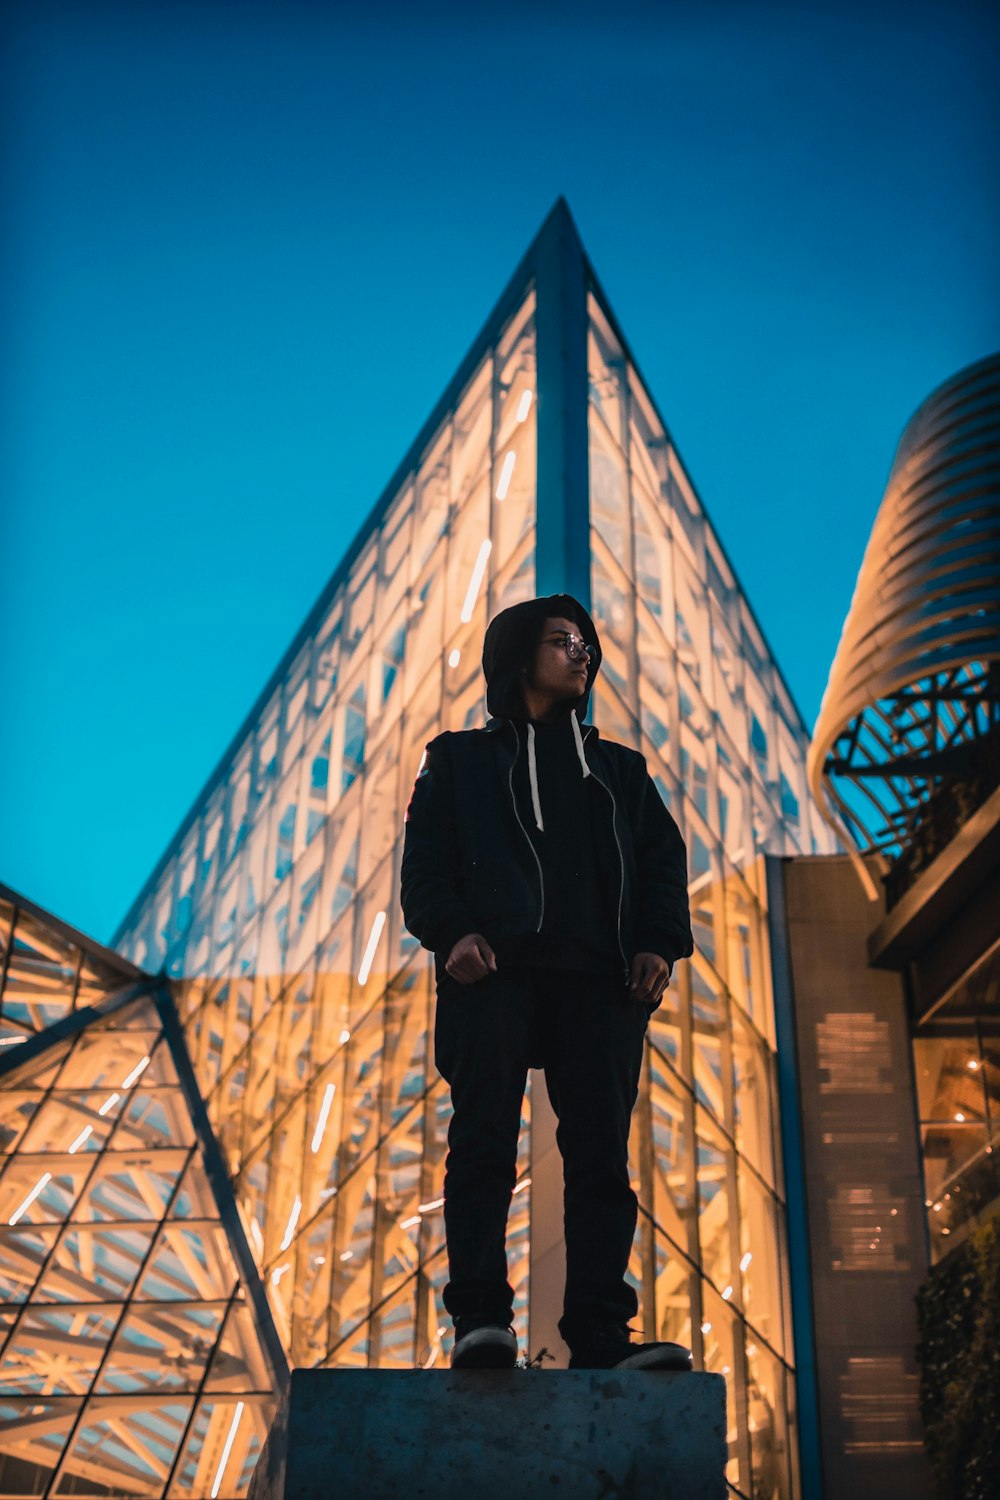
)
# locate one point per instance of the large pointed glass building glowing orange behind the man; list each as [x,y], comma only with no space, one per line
[275,914]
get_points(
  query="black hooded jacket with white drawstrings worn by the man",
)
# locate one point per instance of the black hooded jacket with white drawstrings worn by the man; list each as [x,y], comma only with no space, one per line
[470,860]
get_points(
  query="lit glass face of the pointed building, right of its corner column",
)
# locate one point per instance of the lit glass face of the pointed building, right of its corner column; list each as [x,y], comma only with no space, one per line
[687,680]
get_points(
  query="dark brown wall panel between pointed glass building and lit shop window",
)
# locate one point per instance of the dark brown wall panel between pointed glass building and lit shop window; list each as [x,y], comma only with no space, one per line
[864,1198]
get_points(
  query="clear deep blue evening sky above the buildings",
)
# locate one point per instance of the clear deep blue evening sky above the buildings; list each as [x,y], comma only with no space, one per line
[248,247]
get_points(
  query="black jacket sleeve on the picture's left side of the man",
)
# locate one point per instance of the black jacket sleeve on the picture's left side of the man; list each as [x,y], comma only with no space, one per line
[431,892]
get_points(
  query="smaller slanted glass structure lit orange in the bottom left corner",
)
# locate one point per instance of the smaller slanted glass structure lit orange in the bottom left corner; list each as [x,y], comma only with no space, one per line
[134,1334]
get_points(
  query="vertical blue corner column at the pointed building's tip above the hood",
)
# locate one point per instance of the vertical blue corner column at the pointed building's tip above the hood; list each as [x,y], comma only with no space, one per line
[563,559]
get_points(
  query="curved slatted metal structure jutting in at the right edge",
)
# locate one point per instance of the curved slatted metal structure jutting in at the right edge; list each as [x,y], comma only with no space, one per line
[908,739]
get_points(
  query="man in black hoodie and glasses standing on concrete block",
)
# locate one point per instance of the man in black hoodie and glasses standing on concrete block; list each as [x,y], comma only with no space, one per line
[545,874]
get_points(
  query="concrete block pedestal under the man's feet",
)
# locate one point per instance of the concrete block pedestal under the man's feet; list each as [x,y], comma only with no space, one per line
[380,1435]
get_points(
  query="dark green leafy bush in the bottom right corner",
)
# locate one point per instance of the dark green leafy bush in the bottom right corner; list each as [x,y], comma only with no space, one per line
[959,1352]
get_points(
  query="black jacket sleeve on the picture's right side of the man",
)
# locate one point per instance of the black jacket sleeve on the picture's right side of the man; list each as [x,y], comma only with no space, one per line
[663,917]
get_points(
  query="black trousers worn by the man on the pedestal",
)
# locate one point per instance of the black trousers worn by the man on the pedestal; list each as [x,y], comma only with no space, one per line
[588,1036]
